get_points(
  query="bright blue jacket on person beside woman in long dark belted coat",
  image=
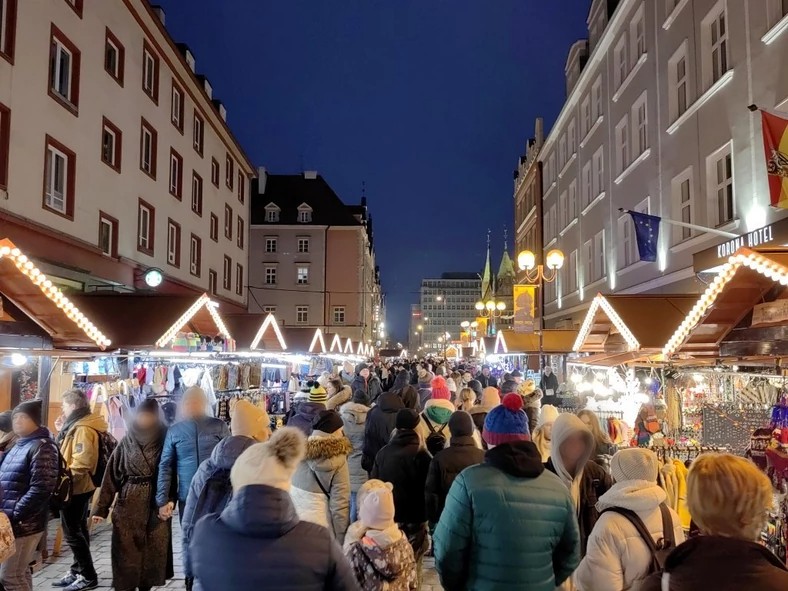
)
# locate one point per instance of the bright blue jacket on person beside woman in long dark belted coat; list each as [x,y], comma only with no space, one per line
[188,444]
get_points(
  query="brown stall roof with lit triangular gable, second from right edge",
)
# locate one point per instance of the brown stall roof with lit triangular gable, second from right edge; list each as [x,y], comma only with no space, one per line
[631,322]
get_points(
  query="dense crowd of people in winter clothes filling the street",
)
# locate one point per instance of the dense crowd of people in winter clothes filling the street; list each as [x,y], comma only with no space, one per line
[377,467]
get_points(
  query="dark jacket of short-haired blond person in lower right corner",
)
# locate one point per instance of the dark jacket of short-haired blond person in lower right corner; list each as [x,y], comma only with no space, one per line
[714,562]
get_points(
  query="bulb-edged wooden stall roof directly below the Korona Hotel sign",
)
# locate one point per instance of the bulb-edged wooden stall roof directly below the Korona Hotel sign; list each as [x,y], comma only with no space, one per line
[748,278]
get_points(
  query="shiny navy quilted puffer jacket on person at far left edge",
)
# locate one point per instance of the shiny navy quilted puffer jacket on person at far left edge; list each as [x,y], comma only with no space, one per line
[28,476]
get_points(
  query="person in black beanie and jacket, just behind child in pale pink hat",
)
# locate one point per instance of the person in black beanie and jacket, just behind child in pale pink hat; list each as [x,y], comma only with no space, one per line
[405,462]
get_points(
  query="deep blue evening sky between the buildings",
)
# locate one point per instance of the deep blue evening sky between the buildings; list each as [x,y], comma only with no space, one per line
[428,101]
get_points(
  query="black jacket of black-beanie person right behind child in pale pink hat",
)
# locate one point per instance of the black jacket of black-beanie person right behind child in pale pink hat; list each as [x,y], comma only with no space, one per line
[405,464]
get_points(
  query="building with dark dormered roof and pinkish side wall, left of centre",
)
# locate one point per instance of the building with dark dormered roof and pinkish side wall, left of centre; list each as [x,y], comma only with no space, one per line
[312,258]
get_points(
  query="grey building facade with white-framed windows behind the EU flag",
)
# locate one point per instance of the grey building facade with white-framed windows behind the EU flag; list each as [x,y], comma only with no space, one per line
[656,121]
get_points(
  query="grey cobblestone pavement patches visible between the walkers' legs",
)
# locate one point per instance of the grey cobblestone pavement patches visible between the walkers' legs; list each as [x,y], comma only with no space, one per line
[55,568]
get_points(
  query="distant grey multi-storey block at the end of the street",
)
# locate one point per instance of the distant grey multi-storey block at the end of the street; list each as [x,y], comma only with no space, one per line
[446,303]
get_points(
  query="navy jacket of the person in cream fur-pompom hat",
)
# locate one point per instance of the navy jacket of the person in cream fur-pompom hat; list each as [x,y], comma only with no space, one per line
[258,542]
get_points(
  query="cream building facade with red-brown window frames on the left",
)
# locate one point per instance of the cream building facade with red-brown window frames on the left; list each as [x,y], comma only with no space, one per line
[115,157]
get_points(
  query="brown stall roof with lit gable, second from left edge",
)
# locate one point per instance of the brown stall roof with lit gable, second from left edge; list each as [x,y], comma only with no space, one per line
[135,321]
